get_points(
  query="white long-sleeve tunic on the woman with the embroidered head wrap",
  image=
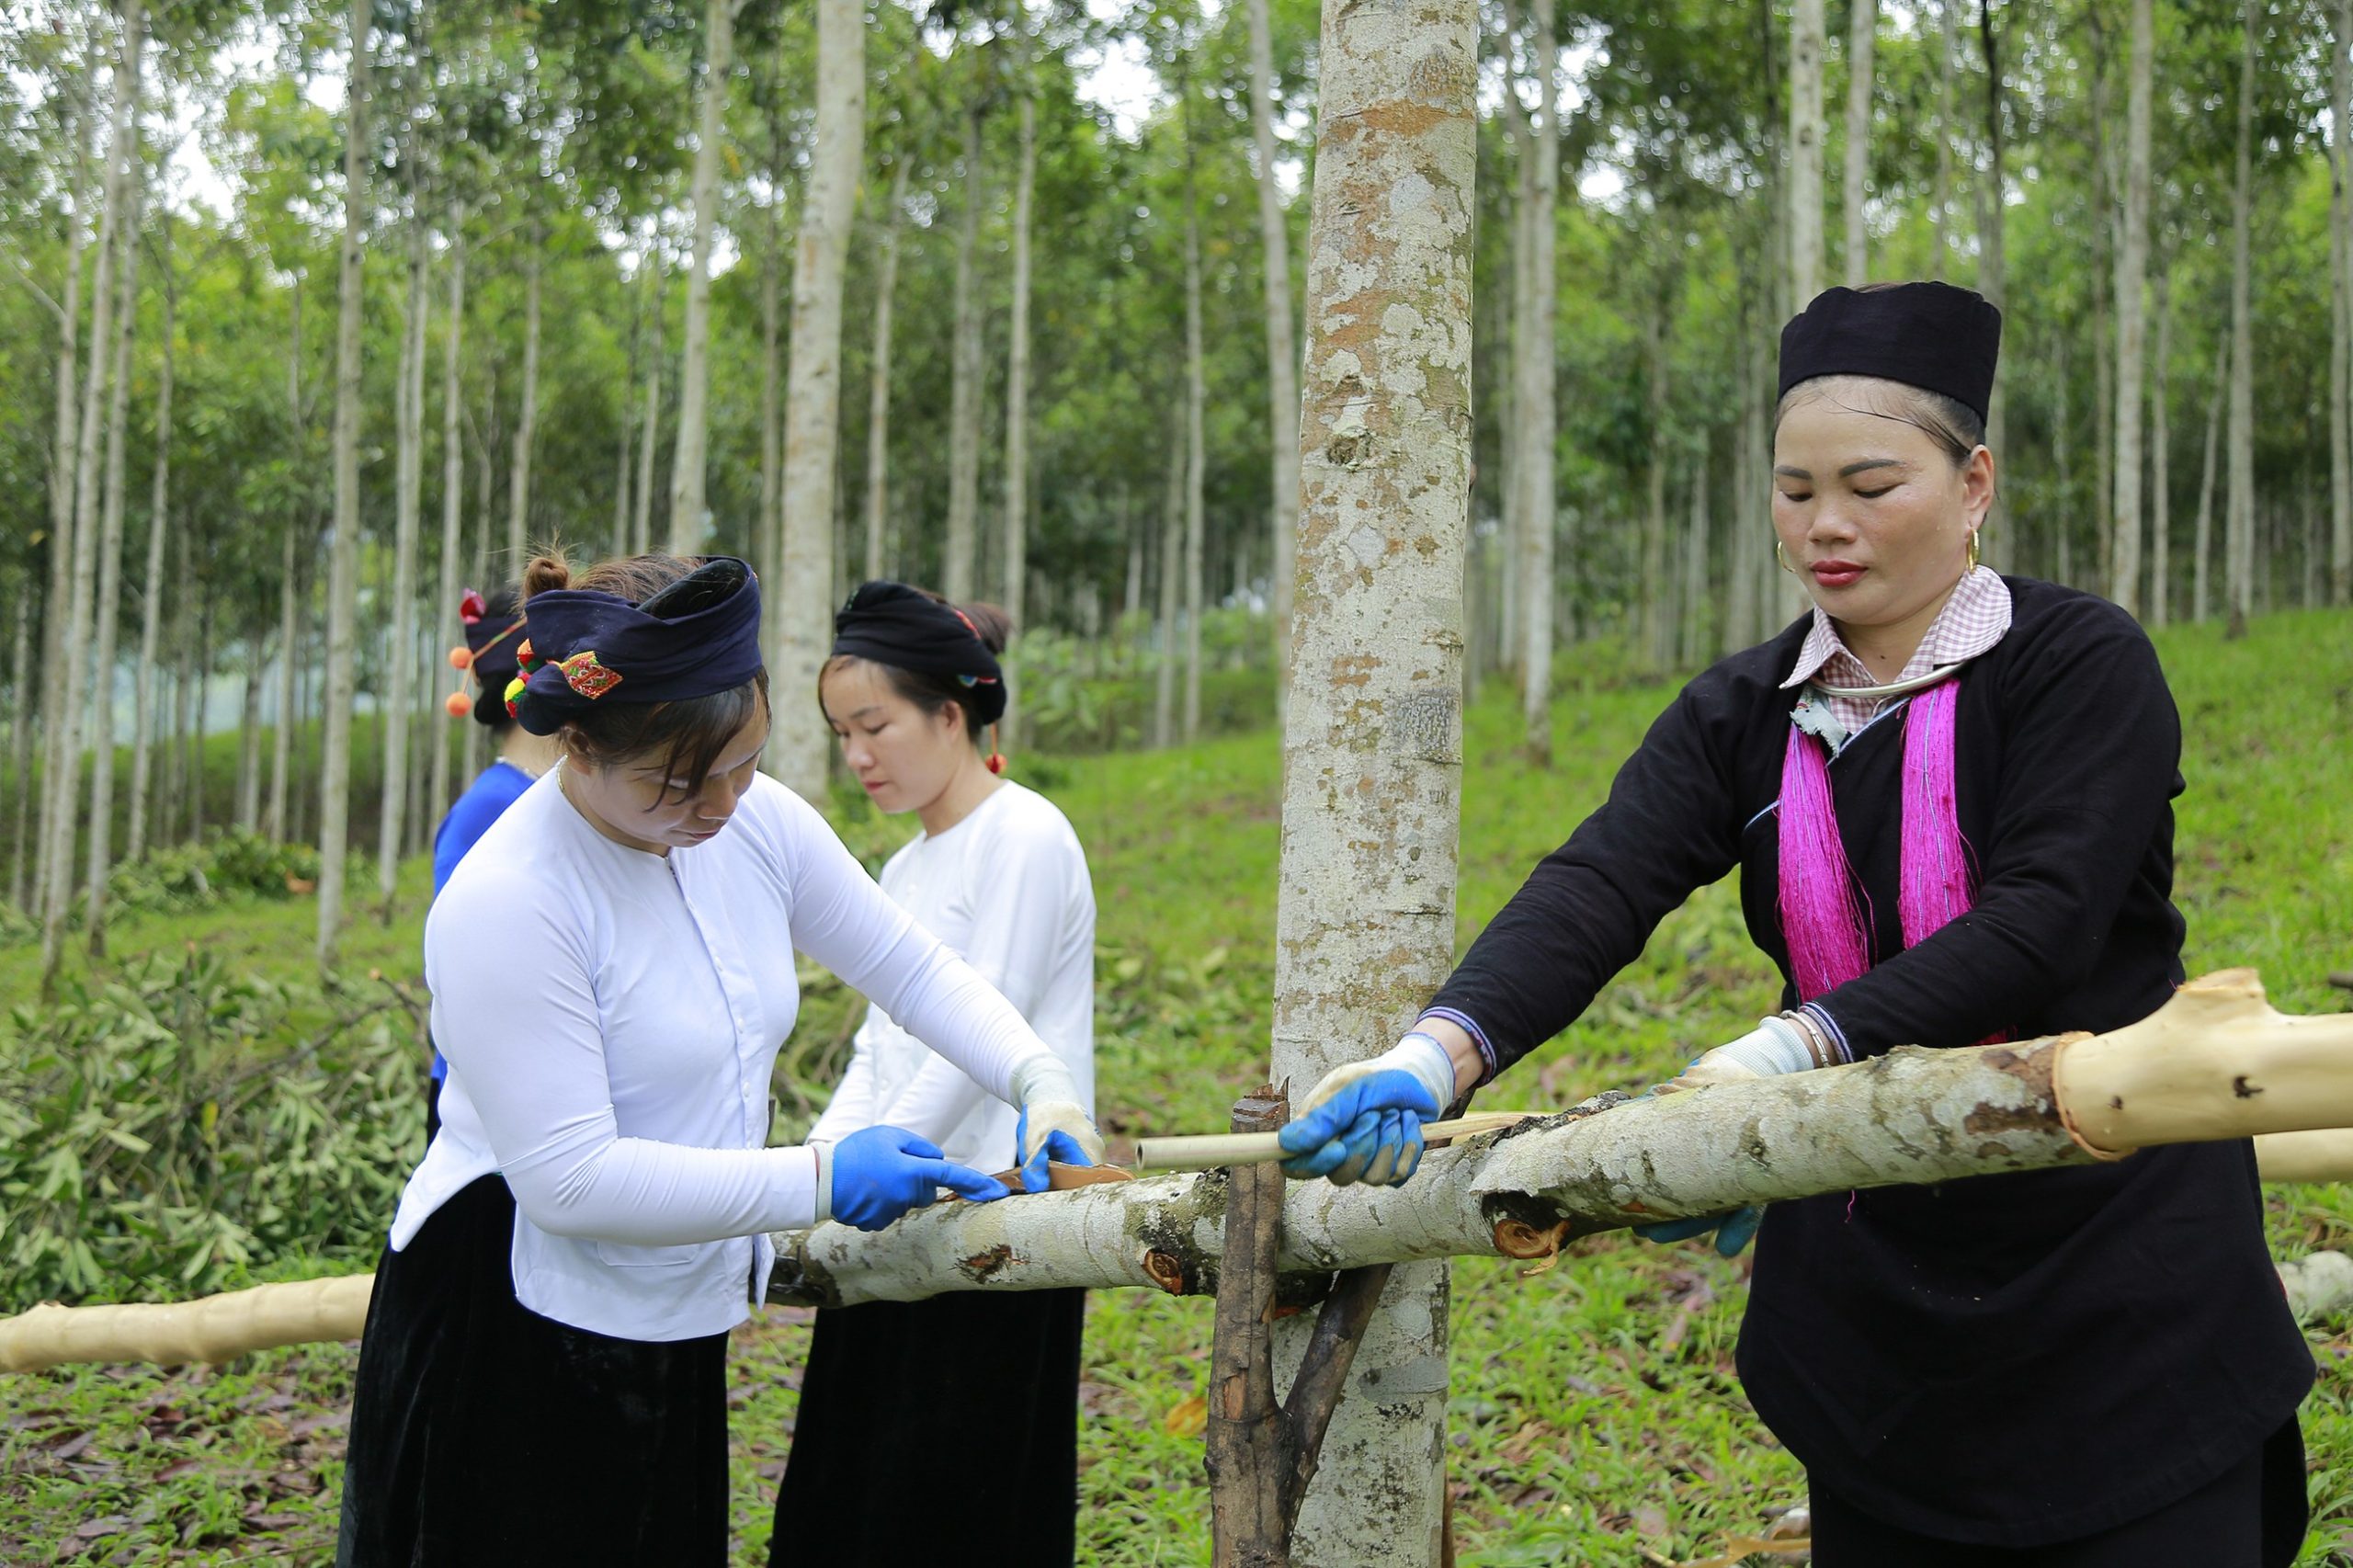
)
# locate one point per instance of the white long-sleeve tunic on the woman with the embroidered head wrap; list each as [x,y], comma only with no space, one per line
[611,1021]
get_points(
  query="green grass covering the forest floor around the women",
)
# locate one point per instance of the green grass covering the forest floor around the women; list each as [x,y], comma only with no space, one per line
[1594,1411]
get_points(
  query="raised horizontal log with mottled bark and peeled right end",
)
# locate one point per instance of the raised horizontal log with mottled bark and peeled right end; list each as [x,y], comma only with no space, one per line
[2215,1063]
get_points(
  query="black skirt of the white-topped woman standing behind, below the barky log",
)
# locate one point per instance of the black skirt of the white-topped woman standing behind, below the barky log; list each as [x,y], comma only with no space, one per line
[900,1390]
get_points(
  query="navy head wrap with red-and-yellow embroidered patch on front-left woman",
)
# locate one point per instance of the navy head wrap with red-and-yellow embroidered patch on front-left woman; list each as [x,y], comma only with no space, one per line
[695,639]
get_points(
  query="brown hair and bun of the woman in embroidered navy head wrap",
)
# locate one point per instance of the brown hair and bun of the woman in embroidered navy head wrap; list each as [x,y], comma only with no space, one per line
[688,736]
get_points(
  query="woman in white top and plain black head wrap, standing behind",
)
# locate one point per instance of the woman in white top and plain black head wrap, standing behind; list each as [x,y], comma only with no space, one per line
[912,689]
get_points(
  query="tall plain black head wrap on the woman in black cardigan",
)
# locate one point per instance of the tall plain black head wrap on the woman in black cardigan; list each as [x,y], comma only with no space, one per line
[1928,335]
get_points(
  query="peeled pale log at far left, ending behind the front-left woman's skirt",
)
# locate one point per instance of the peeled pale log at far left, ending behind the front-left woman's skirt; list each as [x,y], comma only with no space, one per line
[215,1329]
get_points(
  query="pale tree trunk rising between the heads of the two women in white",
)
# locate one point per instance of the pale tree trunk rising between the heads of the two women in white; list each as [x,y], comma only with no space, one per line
[804,627]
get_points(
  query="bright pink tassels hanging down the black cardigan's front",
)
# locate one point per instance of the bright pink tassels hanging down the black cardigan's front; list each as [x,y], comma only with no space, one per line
[1822,908]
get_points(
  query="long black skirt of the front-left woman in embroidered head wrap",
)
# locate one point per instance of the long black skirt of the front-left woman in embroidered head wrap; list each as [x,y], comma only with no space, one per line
[484,1433]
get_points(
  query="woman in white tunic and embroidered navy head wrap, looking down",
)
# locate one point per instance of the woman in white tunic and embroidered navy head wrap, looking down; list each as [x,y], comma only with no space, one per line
[542,1378]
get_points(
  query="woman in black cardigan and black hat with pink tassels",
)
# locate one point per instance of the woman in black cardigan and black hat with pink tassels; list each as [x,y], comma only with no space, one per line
[1949,797]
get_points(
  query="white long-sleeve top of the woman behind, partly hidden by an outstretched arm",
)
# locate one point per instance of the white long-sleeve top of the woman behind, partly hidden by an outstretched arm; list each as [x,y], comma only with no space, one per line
[1008,889]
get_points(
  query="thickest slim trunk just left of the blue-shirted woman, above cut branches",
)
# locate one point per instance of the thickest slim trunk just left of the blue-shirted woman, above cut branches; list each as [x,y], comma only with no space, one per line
[345,557]
